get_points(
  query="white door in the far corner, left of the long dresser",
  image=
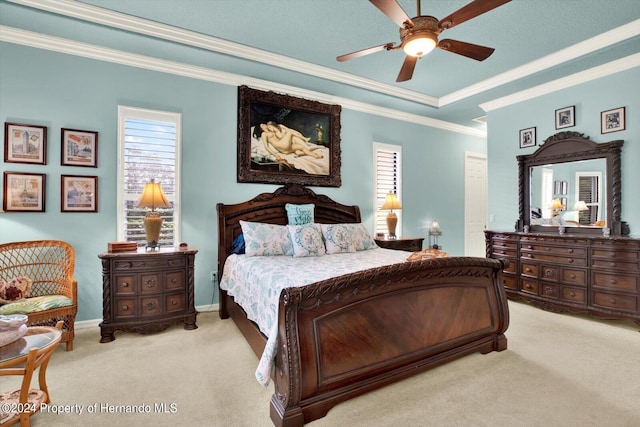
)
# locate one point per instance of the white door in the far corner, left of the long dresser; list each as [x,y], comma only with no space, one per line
[475,204]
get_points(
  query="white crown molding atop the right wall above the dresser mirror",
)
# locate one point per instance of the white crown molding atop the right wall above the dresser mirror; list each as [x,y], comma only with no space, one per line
[594,73]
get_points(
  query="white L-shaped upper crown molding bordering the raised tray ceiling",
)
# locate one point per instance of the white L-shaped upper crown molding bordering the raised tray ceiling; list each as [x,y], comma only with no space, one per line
[85,12]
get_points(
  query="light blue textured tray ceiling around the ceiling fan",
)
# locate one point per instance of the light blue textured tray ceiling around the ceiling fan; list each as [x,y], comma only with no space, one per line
[316,31]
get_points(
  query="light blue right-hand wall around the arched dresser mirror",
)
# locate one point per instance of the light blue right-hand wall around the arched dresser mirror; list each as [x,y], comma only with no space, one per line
[591,98]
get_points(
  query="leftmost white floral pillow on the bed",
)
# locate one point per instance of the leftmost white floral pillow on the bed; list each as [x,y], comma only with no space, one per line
[261,239]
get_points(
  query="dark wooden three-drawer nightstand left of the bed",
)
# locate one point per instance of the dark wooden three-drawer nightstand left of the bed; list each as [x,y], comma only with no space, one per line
[147,292]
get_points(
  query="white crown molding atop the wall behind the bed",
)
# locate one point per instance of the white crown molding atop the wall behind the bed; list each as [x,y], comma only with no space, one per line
[86,50]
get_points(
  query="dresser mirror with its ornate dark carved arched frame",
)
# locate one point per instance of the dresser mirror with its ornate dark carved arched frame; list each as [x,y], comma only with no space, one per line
[573,182]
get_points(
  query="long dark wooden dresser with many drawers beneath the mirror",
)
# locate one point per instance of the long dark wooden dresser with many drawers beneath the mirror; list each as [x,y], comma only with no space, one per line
[576,273]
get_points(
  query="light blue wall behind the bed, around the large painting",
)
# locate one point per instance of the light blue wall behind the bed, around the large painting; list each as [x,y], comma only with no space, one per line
[64,91]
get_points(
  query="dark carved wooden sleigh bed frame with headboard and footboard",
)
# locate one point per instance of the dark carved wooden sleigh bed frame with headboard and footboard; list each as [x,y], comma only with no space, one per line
[342,337]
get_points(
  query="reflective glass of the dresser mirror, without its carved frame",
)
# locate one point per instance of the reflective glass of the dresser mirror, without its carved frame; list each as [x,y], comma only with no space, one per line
[571,193]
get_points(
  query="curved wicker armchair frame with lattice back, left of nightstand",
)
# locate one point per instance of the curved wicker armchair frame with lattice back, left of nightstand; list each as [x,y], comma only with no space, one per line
[50,265]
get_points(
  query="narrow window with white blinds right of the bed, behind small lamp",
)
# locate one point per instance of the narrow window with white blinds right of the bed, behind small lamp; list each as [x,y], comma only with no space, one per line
[387,177]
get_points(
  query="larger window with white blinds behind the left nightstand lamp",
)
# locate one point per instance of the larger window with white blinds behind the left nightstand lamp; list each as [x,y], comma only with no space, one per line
[148,148]
